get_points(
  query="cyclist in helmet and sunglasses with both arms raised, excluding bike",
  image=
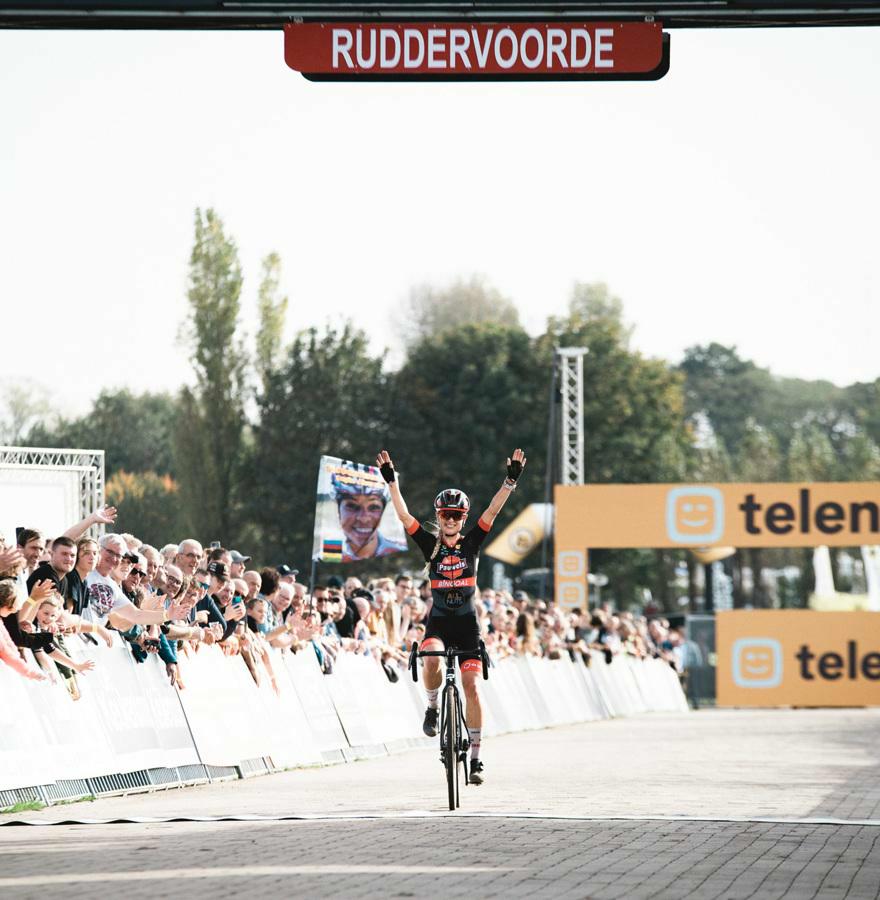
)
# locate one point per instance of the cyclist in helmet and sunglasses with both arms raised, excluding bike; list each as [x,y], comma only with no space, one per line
[451,557]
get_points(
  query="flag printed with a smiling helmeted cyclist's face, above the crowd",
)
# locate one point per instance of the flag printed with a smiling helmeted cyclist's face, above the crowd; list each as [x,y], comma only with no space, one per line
[354,518]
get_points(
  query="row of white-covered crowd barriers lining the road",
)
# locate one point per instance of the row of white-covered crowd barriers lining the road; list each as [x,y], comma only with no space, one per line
[131,730]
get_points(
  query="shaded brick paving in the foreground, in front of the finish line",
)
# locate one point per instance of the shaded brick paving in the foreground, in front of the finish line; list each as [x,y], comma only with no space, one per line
[424,857]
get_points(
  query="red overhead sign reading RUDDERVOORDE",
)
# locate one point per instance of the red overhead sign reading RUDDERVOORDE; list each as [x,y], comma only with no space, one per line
[473,49]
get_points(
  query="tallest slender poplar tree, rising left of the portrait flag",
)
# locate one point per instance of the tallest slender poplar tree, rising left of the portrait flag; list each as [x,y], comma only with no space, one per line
[210,437]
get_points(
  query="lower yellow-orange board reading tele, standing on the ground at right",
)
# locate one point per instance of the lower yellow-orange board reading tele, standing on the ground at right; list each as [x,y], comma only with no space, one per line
[797,658]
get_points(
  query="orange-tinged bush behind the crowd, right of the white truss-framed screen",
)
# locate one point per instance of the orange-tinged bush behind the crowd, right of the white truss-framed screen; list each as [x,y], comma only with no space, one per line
[149,506]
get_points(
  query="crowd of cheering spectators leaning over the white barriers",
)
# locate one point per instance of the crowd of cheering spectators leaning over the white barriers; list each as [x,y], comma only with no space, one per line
[170,601]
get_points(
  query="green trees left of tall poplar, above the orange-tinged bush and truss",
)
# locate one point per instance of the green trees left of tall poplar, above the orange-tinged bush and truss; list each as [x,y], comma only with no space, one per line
[135,431]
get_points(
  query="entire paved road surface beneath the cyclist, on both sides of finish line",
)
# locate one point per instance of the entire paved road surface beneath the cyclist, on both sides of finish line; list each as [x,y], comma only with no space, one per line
[729,804]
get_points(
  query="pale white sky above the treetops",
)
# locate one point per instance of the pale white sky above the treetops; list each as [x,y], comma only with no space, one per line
[735,200]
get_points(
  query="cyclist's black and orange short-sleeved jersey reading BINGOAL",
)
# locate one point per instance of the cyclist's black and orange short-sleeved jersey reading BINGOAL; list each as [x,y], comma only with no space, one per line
[453,571]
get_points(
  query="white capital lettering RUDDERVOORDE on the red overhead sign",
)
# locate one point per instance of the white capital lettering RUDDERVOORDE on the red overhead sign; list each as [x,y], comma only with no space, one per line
[461,48]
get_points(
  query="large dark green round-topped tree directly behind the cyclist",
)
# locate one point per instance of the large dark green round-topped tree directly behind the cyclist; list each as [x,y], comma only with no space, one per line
[463,401]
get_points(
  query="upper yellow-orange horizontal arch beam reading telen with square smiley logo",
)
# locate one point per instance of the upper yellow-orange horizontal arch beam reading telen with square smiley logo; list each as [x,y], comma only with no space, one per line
[705,515]
